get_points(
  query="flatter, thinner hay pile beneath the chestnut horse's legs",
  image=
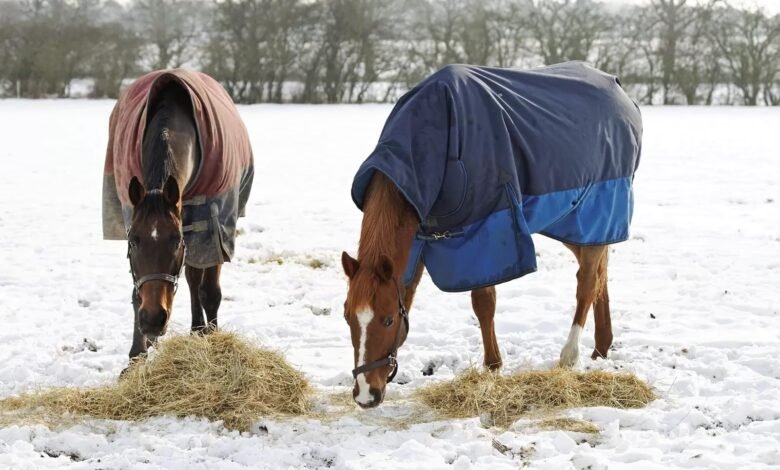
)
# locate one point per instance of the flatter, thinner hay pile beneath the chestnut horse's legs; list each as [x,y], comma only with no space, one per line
[505,398]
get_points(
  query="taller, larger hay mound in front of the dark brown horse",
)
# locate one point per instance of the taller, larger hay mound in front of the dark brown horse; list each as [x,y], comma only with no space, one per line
[218,376]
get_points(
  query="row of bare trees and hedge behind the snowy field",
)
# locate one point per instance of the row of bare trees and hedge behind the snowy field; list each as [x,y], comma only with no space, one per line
[345,51]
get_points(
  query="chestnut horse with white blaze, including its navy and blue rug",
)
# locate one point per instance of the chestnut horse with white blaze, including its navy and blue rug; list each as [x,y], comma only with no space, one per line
[470,163]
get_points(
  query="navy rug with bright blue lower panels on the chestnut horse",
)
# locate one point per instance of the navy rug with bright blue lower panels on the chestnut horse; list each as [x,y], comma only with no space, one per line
[489,156]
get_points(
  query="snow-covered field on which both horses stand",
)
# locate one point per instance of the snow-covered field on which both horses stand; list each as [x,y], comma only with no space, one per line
[695,301]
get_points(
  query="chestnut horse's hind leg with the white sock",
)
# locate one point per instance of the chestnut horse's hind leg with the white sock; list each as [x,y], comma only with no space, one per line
[588,283]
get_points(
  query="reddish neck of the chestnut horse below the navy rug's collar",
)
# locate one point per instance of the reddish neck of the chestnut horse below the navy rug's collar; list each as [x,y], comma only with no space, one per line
[389,225]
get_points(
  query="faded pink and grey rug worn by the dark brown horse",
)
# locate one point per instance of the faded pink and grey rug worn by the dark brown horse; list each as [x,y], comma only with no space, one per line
[215,196]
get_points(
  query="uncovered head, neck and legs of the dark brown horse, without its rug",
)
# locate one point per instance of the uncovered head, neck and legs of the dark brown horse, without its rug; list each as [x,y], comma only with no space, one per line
[170,155]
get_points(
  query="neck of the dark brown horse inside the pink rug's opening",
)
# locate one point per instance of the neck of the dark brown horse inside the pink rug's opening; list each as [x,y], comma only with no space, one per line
[170,145]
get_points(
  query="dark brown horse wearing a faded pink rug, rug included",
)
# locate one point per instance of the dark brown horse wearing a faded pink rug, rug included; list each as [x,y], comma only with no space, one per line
[178,138]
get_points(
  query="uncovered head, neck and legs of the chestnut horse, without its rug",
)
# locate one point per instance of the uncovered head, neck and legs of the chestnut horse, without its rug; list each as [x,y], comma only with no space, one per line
[377,302]
